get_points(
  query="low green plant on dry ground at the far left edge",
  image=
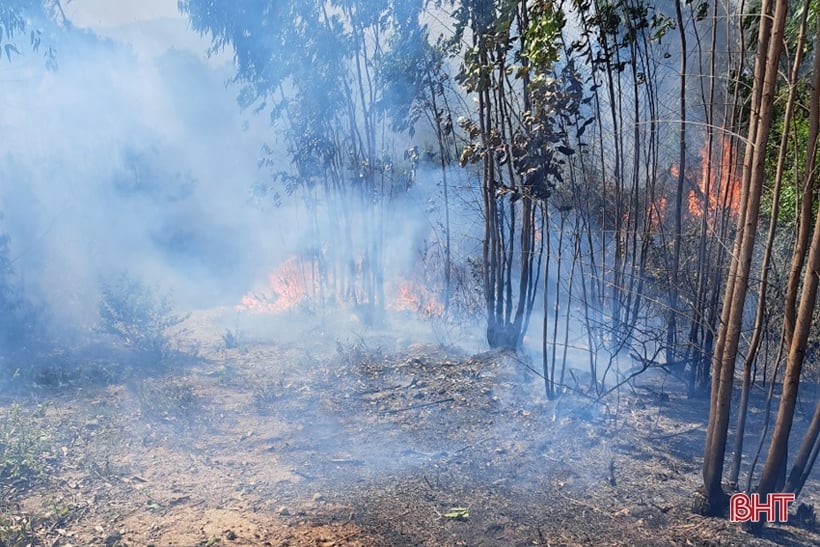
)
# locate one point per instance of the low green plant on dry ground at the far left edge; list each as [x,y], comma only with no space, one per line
[23,445]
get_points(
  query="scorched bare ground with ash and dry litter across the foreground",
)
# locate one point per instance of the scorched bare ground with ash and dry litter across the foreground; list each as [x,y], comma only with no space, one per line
[361,442]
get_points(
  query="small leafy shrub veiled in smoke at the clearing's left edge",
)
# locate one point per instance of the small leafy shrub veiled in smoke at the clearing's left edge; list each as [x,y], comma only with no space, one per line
[139,316]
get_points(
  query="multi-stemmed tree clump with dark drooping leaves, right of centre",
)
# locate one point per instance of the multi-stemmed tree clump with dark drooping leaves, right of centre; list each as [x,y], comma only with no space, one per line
[517,143]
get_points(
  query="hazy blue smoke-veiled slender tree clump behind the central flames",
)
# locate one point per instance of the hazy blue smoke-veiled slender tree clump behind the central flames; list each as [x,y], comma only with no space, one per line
[313,66]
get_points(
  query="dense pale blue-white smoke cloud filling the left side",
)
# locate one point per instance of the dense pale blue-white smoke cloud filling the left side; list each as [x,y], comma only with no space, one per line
[121,161]
